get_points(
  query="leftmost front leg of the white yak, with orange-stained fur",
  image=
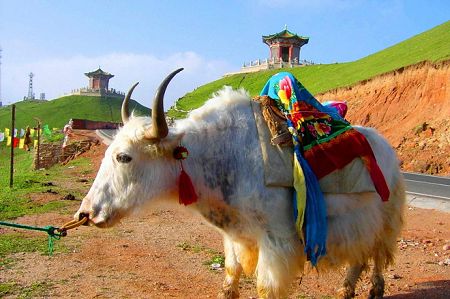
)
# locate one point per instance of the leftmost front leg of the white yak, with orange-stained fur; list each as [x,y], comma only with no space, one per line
[233,269]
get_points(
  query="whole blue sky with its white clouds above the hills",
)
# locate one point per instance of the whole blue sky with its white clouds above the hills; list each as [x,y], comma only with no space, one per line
[144,40]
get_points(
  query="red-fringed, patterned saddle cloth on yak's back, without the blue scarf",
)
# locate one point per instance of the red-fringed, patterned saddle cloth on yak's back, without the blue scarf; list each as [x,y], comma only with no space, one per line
[330,144]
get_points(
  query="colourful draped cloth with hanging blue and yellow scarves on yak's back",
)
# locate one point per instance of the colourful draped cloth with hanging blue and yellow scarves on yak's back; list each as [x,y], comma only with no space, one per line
[323,142]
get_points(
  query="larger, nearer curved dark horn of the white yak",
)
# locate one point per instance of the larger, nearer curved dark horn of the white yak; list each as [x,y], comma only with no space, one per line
[159,128]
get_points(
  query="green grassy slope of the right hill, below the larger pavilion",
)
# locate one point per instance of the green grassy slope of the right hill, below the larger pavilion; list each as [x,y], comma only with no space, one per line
[433,45]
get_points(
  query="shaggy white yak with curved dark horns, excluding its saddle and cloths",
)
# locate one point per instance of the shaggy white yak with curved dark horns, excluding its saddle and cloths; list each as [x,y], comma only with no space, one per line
[256,221]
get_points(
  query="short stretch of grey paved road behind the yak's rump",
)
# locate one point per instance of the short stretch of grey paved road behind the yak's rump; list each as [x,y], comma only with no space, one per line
[427,185]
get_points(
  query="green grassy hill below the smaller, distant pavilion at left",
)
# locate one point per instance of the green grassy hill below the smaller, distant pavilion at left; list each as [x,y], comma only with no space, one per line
[57,112]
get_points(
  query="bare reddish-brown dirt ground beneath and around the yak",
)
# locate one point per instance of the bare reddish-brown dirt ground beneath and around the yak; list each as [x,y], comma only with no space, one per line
[166,252]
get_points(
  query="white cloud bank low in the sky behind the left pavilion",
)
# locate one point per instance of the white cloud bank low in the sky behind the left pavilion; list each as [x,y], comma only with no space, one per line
[58,75]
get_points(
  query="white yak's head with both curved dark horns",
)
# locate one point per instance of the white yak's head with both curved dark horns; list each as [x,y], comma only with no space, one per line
[138,165]
